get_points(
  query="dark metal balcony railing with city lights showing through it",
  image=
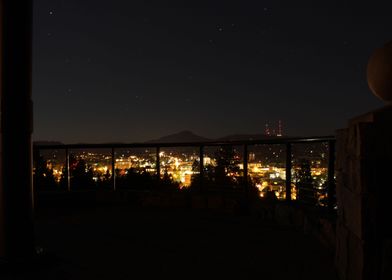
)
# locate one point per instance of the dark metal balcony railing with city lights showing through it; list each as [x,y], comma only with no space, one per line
[299,169]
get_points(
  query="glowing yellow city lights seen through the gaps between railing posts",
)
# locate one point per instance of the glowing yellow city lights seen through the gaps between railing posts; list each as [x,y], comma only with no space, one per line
[266,173]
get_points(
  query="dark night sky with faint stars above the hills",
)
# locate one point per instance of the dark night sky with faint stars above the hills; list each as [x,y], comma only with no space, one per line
[130,71]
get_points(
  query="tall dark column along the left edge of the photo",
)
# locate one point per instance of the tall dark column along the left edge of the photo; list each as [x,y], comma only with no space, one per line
[16,199]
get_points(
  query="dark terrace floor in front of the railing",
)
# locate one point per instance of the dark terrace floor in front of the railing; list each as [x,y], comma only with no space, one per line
[125,243]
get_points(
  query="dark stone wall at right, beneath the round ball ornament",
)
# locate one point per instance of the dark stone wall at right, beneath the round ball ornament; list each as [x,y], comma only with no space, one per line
[364,197]
